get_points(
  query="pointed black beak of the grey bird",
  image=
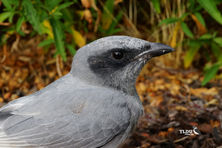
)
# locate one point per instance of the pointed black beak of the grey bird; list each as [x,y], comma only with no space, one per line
[155,49]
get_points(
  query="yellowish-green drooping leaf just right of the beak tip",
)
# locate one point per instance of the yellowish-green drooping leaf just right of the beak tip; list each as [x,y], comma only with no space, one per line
[194,46]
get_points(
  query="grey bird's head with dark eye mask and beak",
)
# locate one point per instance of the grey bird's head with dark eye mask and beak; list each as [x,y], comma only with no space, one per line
[115,61]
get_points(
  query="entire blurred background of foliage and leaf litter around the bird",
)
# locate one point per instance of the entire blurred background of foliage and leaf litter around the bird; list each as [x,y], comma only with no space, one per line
[179,91]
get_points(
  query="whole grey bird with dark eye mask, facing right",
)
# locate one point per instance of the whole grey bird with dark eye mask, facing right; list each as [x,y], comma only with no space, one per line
[94,105]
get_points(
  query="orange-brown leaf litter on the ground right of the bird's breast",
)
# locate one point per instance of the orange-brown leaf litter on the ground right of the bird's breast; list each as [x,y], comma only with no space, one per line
[174,100]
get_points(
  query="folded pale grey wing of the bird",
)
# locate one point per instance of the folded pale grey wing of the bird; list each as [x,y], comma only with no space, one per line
[92,122]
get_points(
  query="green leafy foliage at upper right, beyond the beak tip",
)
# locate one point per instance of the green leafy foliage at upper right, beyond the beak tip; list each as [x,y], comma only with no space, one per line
[204,39]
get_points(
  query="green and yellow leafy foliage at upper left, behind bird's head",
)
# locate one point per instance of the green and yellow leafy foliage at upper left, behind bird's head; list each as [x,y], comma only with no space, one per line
[55,19]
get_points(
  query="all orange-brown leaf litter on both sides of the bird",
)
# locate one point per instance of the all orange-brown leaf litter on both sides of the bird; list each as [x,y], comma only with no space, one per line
[173,99]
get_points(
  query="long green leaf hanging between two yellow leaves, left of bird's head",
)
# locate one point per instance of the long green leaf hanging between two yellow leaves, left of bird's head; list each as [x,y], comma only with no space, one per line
[58,37]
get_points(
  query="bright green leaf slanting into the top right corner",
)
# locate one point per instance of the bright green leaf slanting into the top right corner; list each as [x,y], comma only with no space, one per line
[211,7]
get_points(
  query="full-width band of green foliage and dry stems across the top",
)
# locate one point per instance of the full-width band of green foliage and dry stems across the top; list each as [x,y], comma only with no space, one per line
[67,24]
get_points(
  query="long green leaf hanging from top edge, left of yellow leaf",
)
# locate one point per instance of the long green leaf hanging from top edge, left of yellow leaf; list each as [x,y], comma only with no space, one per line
[31,15]
